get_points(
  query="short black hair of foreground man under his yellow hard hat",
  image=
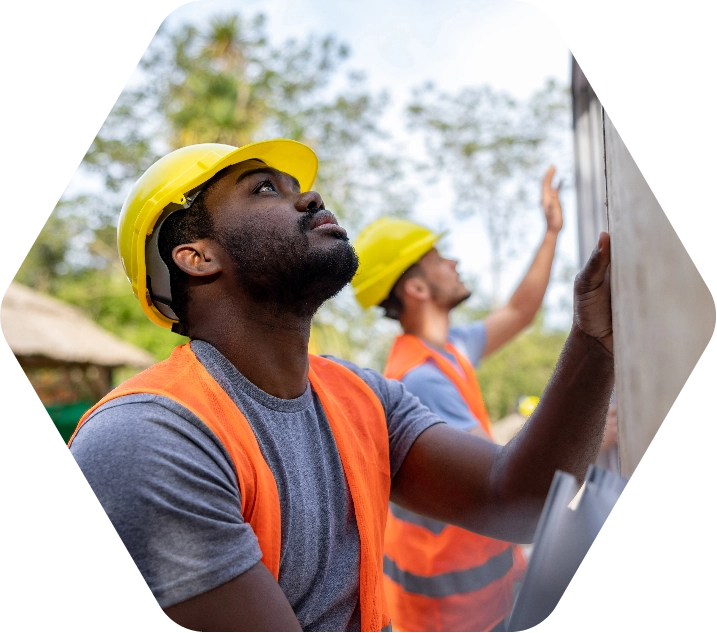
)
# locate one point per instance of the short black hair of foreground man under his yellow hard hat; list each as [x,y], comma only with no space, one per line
[183,227]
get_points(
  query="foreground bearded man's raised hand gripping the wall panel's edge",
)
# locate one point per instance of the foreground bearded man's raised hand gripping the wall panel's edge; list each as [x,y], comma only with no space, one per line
[593,311]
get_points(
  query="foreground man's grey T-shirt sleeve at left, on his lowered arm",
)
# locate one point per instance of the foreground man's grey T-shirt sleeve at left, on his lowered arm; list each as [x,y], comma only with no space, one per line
[170,491]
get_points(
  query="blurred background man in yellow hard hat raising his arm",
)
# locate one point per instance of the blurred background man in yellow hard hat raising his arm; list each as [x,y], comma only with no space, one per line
[440,577]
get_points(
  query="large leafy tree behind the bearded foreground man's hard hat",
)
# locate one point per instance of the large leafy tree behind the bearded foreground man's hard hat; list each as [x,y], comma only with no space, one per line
[225,82]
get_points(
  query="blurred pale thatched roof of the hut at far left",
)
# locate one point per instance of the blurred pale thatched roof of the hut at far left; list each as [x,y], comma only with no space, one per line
[40,329]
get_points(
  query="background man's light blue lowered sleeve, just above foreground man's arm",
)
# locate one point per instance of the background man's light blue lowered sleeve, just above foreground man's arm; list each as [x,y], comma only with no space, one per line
[435,390]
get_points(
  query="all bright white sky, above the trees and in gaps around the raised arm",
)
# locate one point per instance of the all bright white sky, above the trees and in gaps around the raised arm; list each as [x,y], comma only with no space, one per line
[511,45]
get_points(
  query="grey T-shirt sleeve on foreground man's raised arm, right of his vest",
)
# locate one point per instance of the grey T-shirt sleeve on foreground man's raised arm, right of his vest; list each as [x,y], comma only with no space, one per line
[406,417]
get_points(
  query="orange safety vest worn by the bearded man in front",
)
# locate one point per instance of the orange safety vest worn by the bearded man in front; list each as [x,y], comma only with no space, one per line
[358,423]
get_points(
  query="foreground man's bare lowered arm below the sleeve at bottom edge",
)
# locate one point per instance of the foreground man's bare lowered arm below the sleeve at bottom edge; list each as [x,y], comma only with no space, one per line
[253,601]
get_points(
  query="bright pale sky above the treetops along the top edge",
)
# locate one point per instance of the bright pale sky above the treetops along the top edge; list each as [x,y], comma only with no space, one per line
[401,43]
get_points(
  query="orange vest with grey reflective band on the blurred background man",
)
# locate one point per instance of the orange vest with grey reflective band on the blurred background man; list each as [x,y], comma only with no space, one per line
[455,580]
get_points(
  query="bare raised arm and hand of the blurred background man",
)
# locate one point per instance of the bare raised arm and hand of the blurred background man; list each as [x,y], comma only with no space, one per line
[504,323]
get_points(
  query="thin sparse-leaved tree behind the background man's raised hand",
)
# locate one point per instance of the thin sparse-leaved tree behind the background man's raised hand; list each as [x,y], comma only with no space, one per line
[492,147]
